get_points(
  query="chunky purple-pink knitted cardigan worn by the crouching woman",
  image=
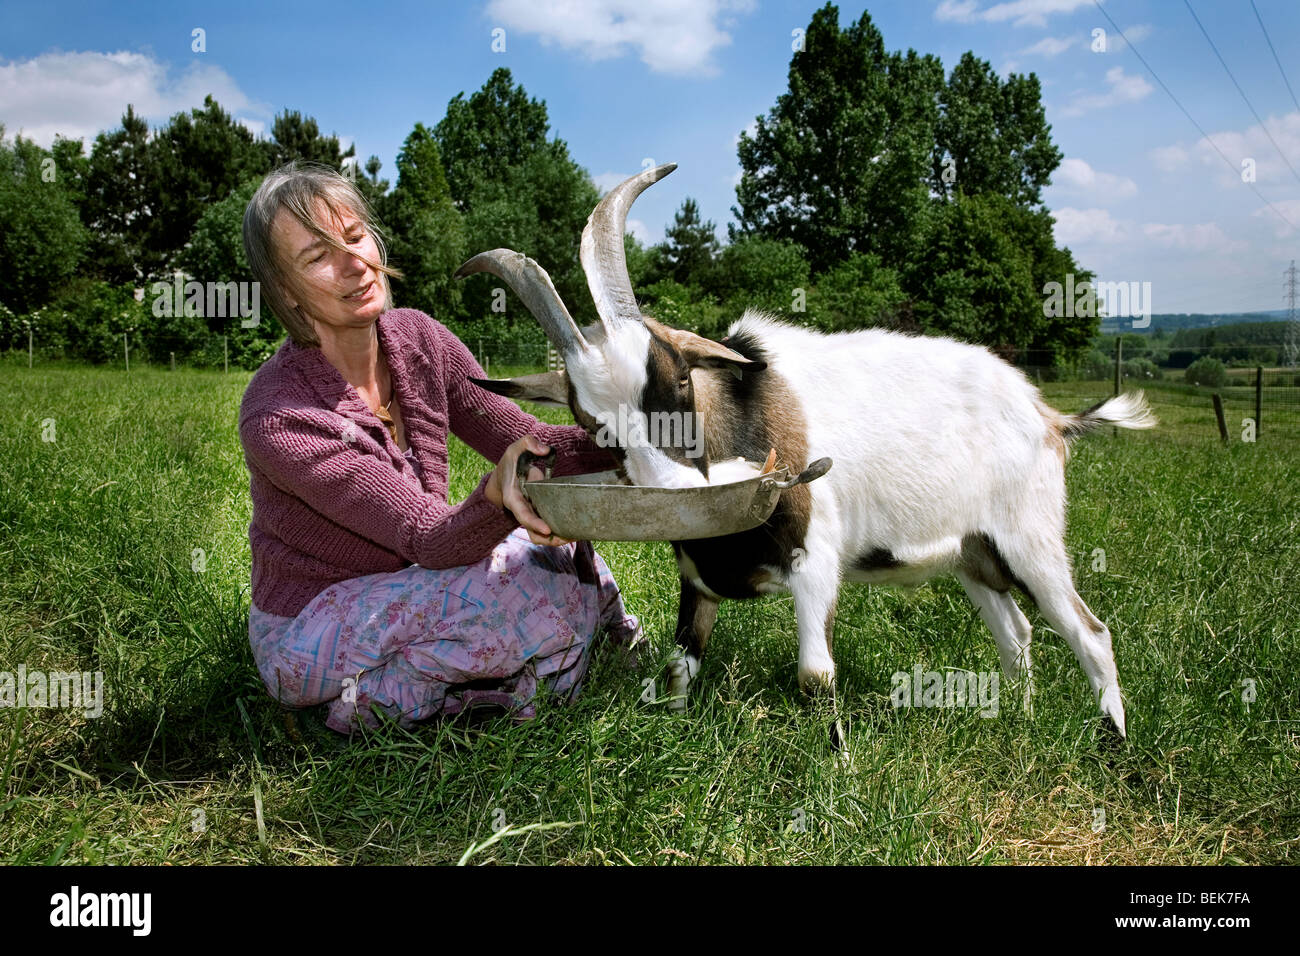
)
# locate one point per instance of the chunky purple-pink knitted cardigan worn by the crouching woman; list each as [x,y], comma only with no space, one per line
[333,496]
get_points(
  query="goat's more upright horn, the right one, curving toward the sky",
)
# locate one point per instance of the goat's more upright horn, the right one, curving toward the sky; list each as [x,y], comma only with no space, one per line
[604,259]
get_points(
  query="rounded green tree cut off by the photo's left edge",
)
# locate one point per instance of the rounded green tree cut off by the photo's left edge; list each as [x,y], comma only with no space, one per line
[42,240]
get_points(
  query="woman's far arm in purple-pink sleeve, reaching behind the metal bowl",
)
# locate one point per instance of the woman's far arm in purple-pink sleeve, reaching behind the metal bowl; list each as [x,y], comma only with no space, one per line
[489,423]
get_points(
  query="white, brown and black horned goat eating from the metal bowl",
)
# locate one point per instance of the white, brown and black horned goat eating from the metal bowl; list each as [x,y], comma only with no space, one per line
[947,460]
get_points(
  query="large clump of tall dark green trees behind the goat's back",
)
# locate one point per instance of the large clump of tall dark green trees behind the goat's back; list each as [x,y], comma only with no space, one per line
[931,187]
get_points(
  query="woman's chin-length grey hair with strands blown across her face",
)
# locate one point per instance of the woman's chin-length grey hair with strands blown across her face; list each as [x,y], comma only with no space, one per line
[300,189]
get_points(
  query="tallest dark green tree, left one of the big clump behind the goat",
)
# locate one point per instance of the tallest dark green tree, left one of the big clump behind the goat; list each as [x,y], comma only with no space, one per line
[840,163]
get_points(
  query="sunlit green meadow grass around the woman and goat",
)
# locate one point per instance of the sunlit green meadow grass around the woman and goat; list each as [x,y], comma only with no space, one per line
[125,551]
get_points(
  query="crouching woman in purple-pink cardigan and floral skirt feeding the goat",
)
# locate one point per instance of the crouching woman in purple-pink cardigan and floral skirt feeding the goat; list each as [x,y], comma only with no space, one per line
[370,591]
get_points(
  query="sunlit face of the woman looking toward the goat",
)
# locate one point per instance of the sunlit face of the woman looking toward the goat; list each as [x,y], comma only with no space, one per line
[333,288]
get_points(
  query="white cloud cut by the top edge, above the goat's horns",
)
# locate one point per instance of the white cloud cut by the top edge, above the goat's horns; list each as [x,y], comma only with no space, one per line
[675,37]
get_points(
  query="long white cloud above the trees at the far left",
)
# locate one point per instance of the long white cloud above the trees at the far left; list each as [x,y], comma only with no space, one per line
[81,94]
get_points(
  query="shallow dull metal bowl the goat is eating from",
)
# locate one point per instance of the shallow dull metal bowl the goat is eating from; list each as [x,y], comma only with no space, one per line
[596,508]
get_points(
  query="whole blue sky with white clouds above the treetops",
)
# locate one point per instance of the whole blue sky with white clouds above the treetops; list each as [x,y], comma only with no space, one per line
[1142,197]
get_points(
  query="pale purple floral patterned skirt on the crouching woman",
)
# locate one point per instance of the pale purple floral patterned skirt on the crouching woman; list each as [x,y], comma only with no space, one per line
[421,643]
